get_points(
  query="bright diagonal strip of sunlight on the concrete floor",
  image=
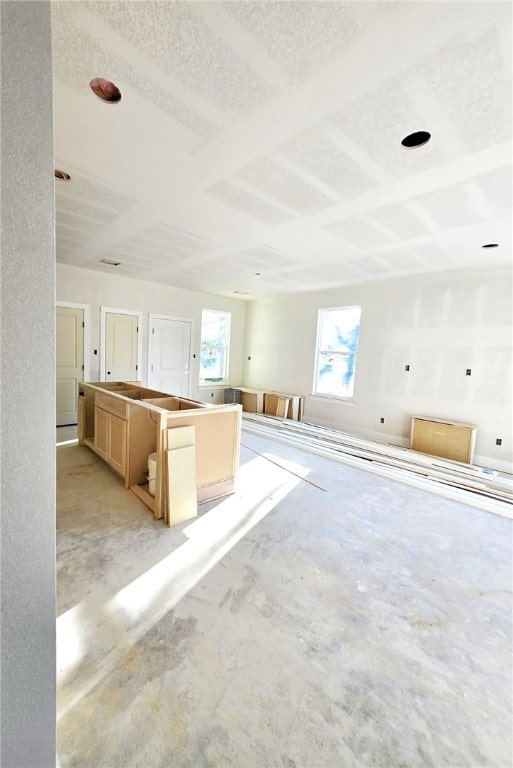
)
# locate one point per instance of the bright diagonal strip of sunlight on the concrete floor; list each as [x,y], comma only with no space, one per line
[92,636]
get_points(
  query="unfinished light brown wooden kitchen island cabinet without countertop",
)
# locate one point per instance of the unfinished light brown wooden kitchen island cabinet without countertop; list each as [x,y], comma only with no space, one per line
[124,423]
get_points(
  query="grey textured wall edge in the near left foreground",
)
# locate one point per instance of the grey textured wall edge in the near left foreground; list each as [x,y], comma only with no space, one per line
[28,396]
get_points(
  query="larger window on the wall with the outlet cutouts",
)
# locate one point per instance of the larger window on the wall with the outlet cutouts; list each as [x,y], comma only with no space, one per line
[337,344]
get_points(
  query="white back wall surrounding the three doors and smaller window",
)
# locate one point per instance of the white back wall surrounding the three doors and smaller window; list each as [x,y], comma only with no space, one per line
[85,286]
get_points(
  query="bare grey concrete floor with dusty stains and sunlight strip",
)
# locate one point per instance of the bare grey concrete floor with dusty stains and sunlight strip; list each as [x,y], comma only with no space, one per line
[368,624]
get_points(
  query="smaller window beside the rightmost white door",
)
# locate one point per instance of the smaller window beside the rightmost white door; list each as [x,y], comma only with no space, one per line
[215,341]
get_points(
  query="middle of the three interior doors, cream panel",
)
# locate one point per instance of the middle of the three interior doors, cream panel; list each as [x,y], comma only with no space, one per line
[121,347]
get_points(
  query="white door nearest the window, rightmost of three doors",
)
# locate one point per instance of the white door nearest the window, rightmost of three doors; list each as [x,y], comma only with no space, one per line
[169,354]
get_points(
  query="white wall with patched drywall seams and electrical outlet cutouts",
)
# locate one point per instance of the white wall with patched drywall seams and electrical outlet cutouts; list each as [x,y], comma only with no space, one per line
[438,324]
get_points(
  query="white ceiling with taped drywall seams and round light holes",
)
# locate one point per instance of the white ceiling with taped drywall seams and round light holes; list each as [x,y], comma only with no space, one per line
[265,137]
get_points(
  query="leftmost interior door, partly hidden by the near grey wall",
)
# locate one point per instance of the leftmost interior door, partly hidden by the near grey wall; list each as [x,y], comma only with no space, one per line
[69,362]
